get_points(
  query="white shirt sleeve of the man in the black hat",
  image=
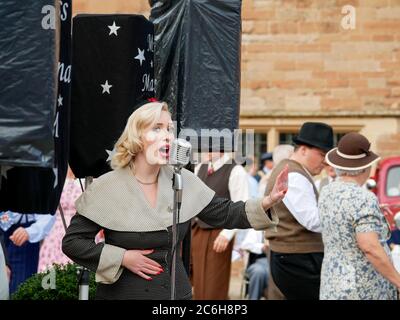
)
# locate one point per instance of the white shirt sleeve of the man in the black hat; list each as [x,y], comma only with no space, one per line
[301,202]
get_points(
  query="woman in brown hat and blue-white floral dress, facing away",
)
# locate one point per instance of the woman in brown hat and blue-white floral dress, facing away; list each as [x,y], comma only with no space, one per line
[356,263]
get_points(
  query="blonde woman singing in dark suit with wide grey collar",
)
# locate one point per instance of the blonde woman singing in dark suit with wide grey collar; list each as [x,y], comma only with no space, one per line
[133,205]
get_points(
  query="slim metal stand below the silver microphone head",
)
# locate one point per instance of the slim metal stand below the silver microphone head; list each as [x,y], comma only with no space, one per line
[177,186]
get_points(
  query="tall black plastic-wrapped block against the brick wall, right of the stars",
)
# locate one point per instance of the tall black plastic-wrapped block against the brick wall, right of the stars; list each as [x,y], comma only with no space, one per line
[197,65]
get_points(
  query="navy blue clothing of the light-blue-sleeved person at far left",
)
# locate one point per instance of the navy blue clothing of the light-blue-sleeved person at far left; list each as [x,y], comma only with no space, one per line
[23,260]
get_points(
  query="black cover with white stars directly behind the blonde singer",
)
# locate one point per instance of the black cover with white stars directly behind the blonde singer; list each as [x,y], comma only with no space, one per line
[113,72]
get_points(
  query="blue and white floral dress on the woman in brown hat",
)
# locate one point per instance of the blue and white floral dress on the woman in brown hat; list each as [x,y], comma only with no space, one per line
[347,209]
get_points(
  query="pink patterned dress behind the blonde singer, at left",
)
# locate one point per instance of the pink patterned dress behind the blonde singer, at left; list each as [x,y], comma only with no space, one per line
[50,251]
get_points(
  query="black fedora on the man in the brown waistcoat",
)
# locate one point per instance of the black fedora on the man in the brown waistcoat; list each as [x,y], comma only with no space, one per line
[315,134]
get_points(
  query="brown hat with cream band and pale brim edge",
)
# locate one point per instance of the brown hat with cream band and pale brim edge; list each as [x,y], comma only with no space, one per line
[353,153]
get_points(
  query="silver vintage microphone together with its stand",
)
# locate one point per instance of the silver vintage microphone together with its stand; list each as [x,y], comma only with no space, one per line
[179,157]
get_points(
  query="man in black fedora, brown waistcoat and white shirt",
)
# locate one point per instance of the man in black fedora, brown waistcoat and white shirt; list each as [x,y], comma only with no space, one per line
[296,247]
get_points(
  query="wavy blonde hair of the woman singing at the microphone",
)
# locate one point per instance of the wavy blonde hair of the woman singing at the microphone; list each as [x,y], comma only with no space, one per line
[130,143]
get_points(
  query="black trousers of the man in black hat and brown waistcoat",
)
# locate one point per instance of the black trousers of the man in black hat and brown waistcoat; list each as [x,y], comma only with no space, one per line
[297,275]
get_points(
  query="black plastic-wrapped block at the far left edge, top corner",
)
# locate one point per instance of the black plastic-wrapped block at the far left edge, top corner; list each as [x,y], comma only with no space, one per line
[27,82]
